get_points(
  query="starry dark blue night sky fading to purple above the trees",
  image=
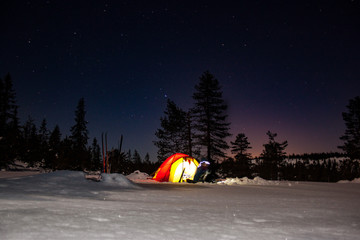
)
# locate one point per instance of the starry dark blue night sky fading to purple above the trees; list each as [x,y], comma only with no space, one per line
[285,66]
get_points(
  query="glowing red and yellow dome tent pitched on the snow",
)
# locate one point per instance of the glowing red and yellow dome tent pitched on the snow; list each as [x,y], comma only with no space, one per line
[177,168]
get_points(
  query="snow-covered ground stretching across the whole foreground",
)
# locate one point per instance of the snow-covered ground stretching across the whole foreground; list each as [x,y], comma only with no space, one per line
[64,205]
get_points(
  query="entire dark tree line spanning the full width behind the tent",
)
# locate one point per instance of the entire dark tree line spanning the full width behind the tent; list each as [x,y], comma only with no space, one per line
[200,131]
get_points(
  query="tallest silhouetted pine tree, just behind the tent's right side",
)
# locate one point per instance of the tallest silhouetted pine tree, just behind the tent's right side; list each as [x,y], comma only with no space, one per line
[211,117]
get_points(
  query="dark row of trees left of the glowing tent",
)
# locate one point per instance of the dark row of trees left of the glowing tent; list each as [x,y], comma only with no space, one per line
[41,147]
